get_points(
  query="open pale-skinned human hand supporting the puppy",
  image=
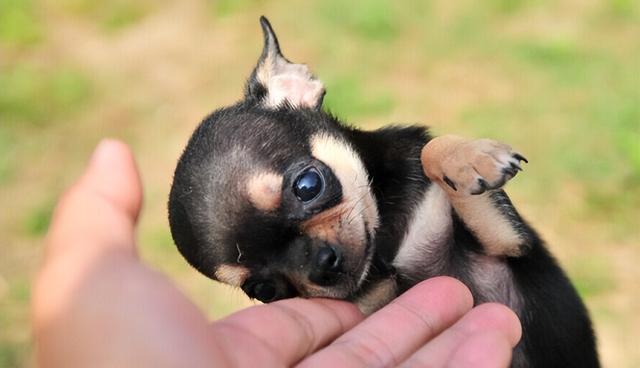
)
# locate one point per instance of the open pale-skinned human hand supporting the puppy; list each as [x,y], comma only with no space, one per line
[96,304]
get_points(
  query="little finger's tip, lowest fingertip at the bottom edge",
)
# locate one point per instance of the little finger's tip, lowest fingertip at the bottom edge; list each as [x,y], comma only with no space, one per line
[487,349]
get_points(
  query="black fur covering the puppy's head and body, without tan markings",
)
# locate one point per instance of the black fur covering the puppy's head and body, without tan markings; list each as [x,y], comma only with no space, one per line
[211,226]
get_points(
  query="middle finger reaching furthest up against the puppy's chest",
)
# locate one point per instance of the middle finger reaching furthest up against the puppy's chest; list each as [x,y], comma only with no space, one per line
[389,336]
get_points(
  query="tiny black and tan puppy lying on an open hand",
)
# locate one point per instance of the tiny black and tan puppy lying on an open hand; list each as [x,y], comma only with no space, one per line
[278,197]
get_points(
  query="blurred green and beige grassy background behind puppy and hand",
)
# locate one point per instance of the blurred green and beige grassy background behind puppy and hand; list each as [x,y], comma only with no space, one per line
[558,80]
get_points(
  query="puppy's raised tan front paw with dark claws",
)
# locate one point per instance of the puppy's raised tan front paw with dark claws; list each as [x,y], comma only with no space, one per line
[466,166]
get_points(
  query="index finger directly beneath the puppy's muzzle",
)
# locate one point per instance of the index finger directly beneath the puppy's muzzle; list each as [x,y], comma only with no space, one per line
[284,332]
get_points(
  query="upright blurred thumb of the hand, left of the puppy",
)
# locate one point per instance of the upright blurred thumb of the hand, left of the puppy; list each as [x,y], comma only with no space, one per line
[100,210]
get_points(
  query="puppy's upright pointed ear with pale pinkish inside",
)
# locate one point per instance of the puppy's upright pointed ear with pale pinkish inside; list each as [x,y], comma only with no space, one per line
[276,81]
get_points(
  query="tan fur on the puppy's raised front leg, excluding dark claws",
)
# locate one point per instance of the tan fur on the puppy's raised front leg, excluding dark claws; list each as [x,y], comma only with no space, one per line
[463,161]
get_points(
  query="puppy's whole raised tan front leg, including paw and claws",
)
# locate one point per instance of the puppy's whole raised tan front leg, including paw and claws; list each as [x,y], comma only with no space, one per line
[472,173]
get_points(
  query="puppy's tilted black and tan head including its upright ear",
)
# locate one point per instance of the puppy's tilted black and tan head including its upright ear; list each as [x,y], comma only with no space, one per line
[270,196]
